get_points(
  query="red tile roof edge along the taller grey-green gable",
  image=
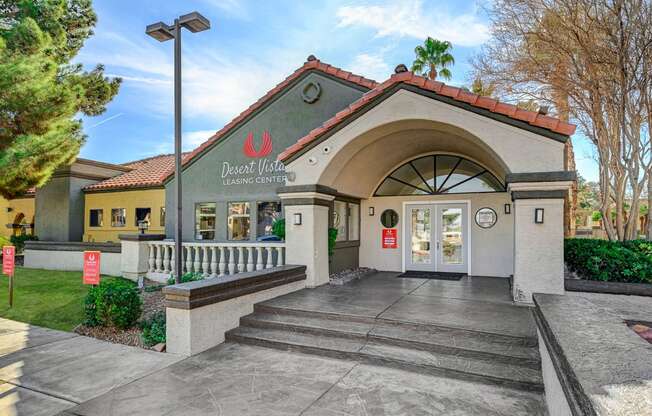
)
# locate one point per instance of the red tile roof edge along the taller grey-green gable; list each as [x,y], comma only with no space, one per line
[311,64]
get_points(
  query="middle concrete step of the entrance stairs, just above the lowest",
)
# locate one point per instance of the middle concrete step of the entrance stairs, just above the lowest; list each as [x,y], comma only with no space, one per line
[440,340]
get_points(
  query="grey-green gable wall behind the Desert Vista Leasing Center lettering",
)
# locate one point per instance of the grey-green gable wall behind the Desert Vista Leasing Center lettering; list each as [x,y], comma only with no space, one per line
[287,119]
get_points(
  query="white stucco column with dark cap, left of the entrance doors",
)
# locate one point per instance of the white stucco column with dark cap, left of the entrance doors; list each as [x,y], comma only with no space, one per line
[307,244]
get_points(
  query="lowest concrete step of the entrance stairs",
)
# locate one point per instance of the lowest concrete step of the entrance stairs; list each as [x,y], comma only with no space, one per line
[379,353]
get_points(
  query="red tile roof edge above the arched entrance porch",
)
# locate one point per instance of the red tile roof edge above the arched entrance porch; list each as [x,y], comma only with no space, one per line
[541,124]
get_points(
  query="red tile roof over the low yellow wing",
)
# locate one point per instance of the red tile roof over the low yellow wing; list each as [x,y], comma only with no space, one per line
[145,173]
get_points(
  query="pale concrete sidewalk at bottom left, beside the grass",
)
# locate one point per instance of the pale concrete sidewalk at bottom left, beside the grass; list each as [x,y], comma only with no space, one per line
[43,371]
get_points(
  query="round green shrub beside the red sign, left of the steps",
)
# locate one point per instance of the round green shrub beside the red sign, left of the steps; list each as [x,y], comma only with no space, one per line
[113,302]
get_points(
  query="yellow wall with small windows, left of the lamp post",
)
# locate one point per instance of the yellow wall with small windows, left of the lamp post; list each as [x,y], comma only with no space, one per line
[130,200]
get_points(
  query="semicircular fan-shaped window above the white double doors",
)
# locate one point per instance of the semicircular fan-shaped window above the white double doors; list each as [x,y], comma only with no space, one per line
[425,189]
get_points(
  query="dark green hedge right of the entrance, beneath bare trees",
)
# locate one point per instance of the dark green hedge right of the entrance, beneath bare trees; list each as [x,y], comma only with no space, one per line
[610,261]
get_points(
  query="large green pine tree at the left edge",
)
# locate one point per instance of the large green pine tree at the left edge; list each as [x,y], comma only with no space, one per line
[41,92]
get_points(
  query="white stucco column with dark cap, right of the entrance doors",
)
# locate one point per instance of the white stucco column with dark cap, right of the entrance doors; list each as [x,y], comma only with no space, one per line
[538,247]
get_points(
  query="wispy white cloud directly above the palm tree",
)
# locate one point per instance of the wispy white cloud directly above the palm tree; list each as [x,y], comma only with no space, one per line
[410,19]
